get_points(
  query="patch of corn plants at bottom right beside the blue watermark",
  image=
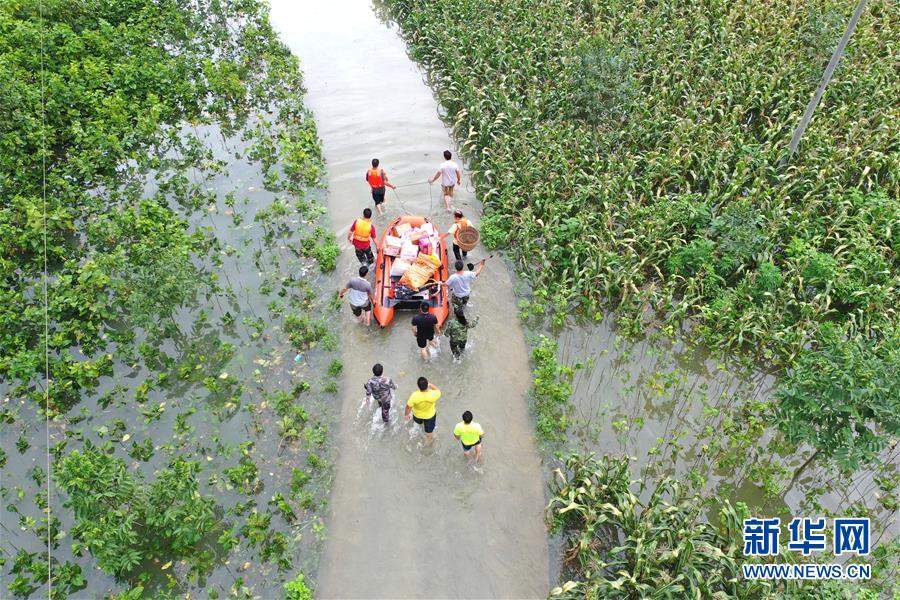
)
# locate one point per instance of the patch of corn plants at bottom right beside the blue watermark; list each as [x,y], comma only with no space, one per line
[620,546]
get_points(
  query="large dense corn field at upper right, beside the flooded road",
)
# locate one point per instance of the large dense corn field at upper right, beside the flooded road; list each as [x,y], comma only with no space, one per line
[623,164]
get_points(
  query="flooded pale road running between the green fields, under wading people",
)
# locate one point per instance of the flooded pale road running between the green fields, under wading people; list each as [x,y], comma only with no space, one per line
[406,521]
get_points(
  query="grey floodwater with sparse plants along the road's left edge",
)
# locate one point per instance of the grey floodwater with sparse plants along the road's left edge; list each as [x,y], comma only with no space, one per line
[239,381]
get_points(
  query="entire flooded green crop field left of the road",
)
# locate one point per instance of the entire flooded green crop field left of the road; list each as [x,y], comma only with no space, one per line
[171,289]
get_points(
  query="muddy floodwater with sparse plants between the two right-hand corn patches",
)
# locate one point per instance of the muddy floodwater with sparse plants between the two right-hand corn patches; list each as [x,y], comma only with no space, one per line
[668,407]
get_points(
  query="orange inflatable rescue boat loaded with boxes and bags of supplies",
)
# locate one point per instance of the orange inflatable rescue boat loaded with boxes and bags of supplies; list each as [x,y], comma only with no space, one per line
[407,273]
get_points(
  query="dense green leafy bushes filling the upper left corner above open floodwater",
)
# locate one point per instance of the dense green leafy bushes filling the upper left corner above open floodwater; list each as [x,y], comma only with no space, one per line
[118,79]
